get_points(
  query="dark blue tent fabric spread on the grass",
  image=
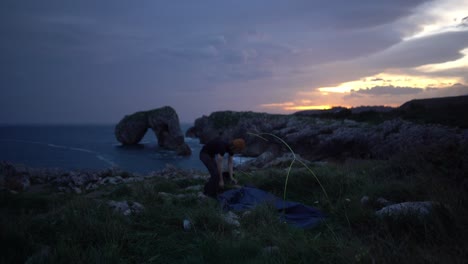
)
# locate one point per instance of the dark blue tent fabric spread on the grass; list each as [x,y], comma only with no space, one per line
[293,213]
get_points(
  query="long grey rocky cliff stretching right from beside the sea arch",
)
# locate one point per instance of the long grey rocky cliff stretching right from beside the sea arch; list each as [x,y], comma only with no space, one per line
[322,139]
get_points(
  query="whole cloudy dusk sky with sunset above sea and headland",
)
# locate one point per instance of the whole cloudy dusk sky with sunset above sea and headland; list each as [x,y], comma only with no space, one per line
[90,61]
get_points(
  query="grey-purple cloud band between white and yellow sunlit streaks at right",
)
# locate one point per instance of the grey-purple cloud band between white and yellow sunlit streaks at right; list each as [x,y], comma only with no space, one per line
[403,56]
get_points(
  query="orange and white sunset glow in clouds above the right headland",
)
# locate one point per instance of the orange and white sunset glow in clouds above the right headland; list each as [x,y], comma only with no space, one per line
[409,69]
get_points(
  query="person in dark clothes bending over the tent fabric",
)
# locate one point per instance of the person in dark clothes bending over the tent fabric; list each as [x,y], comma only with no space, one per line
[212,155]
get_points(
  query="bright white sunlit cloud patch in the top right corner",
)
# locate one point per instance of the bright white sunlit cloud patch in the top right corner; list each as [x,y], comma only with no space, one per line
[444,16]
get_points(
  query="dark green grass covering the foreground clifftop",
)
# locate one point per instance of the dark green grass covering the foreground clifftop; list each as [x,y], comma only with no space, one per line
[78,229]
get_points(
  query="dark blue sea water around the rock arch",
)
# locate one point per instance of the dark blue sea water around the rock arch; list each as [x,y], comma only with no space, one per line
[88,147]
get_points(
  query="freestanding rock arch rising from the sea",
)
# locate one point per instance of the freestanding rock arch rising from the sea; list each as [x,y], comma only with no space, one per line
[164,122]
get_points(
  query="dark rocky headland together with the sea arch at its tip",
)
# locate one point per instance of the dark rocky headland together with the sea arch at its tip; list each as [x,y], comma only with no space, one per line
[366,132]
